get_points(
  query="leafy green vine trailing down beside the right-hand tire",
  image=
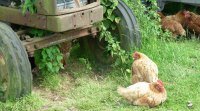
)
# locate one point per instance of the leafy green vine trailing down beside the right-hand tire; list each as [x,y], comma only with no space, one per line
[106,26]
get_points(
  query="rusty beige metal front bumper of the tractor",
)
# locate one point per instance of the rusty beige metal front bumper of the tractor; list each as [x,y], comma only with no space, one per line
[56,21]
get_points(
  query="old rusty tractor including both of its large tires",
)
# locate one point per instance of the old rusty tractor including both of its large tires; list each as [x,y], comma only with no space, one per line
[66,19]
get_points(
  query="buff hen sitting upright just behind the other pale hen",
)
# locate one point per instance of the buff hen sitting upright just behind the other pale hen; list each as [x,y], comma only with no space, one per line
[143,69]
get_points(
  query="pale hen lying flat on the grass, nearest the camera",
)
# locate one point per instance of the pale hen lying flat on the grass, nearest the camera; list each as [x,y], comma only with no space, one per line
[144,94]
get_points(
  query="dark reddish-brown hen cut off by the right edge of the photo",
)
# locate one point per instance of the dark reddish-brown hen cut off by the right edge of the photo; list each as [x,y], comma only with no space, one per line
[193,23]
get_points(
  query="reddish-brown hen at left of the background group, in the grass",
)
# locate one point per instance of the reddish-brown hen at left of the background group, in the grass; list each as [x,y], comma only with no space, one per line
[174,23]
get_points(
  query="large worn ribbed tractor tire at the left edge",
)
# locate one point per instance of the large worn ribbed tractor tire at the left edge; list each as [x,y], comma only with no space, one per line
[15,74]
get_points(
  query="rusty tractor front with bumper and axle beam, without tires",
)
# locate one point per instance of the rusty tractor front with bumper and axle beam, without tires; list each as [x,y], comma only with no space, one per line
[66,23]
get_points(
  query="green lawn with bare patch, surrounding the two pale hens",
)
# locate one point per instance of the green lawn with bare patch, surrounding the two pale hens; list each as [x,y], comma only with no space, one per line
[86,89]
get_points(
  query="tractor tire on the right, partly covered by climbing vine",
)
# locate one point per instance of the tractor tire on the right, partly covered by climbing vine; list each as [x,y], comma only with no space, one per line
[128,27]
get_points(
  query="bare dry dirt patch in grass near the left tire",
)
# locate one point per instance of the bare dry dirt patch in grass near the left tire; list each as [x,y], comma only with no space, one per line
[58,97]
